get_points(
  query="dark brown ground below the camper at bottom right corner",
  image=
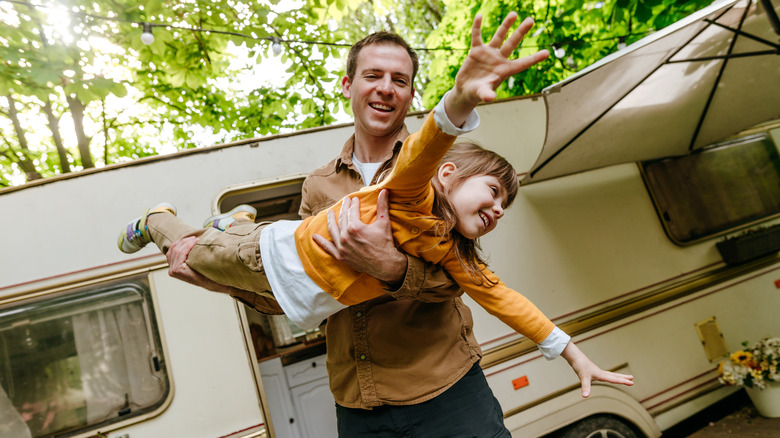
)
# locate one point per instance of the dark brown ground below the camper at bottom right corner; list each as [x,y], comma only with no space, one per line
[732,417]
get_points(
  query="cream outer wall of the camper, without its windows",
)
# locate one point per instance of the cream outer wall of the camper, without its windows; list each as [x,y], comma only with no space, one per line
[588,249]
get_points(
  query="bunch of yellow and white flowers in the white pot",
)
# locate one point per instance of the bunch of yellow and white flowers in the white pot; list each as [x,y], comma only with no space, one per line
[754,366]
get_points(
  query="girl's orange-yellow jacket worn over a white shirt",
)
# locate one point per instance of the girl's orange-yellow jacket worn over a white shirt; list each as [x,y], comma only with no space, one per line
[414,231]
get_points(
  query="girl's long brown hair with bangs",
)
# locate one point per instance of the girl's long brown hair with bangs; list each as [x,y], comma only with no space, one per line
[470,159]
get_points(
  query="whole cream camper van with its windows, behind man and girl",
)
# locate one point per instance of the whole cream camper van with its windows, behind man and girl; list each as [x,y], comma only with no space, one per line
[625,258]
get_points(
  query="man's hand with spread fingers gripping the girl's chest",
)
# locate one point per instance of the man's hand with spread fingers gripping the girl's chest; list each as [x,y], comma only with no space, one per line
[367,248]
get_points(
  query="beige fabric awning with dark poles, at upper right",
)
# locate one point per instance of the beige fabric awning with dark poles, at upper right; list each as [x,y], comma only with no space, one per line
[698,81]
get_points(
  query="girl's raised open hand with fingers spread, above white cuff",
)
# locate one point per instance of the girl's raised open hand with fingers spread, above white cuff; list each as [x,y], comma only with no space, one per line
[487,66]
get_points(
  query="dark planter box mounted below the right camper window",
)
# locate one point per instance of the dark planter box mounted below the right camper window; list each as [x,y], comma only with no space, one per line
[750,245]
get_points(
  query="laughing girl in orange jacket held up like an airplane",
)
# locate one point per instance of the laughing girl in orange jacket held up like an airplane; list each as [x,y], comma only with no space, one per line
[436,211]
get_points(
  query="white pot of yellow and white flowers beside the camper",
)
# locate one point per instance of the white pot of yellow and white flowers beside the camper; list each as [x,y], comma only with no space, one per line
[756,368]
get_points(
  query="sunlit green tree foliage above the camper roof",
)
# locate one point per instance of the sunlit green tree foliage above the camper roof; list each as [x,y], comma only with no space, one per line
[79,89]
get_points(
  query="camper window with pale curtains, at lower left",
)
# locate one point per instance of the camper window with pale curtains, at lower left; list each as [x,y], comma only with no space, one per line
[79,360]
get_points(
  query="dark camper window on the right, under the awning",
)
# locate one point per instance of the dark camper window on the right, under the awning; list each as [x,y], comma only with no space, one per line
[717,190]
